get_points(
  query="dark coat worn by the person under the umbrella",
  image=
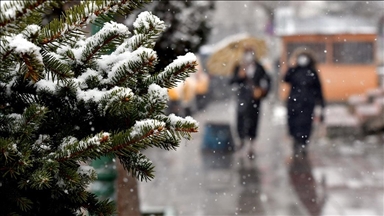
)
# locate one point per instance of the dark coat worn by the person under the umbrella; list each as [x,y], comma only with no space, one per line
[248,107]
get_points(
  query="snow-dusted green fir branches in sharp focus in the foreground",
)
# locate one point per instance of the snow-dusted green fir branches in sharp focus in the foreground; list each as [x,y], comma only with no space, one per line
[67,99]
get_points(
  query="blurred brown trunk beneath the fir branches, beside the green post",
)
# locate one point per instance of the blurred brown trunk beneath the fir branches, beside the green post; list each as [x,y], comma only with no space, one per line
[127,193]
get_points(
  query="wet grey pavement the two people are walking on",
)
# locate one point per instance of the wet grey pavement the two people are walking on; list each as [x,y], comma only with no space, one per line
[339,177]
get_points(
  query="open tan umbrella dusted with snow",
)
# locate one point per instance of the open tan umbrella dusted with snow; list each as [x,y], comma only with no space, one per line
[229,52]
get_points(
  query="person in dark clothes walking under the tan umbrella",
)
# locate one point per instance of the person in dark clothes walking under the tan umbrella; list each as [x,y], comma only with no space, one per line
[253,85]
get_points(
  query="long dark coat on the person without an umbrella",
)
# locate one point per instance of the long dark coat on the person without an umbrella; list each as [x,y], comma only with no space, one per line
[304,94]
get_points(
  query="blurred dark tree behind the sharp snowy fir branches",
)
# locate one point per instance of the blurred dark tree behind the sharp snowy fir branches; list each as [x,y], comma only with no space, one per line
[188,26]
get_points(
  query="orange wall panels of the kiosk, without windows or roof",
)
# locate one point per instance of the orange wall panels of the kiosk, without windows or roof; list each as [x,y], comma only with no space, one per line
[339,80]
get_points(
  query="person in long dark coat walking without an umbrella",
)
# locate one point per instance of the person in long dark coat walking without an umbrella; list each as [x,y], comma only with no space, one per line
[305,94]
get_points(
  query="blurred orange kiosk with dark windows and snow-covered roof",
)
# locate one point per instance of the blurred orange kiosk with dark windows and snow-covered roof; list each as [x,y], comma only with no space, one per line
[345,47]
